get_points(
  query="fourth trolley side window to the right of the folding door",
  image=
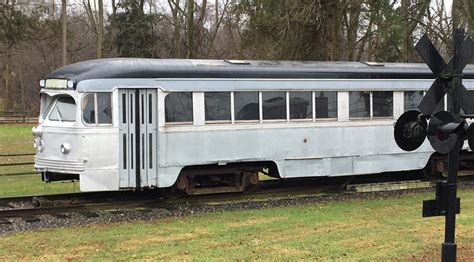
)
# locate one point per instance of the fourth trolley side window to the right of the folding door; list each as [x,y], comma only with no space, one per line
[274,105]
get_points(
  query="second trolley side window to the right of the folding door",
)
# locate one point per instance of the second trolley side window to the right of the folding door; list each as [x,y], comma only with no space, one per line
[217,105]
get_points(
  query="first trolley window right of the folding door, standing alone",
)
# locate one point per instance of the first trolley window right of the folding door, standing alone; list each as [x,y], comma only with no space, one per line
[179,107]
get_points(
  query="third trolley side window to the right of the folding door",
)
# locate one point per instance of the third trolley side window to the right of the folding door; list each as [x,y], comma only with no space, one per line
[246,105]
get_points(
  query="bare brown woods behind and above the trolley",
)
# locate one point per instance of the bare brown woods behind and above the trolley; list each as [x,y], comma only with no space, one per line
[37,37]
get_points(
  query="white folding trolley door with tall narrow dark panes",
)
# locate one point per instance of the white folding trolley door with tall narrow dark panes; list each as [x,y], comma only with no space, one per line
[137,138]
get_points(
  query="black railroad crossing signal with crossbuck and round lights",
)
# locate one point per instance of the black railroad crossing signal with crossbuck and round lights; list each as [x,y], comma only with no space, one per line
[446,131]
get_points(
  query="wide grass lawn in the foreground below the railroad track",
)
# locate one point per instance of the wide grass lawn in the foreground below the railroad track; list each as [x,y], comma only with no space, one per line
[379,229]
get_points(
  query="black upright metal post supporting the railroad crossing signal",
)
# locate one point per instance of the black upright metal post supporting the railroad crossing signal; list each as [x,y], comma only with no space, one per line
[448,252]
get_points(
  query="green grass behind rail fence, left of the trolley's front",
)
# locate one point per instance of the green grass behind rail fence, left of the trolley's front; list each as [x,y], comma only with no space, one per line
[18,139]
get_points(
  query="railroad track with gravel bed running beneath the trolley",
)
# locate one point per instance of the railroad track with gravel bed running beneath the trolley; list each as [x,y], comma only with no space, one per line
[32,209]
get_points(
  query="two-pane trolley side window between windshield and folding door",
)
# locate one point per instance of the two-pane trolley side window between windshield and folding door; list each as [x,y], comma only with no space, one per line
[97,108]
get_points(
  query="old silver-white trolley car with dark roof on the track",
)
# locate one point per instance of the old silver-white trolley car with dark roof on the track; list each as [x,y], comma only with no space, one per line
[205,126]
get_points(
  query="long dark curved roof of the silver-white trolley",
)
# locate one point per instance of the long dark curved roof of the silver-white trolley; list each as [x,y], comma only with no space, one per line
[111,68]
